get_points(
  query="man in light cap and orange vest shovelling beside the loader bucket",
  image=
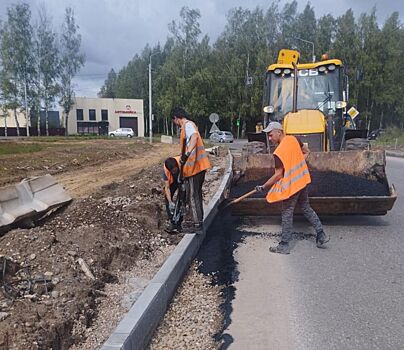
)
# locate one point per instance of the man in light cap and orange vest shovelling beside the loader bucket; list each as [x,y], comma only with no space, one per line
[289,185]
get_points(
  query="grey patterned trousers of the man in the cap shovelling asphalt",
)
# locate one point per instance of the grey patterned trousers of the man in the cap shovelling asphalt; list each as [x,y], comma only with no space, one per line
[288,207]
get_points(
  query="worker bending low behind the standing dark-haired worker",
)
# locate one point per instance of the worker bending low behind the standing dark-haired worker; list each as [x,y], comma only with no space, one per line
[171,172]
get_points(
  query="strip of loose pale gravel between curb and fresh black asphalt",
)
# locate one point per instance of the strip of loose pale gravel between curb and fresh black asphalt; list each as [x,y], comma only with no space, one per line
[193,317]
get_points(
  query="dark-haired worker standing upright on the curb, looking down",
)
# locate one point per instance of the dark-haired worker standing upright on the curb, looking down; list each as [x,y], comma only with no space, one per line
[195,162]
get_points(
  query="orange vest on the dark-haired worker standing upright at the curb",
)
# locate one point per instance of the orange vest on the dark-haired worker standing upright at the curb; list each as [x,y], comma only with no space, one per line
[198,159]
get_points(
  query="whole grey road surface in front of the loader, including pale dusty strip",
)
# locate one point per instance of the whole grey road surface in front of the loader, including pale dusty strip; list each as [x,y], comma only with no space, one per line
[348,296]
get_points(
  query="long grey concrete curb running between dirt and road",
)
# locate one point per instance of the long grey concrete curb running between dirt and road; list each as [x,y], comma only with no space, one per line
[136,328]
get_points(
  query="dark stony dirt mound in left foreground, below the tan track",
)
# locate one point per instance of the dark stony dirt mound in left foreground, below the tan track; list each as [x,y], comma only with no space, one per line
[109,231]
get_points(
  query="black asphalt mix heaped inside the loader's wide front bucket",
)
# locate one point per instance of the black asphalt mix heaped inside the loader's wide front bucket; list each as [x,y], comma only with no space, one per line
[325,184]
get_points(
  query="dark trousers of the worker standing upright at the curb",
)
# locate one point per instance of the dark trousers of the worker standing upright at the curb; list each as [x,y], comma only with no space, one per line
[193,185]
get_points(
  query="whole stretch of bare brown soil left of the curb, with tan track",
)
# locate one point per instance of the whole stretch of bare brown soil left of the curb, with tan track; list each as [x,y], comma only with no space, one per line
[59,279]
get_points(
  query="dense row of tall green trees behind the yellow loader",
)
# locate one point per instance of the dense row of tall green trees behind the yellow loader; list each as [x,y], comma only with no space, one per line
[207,77]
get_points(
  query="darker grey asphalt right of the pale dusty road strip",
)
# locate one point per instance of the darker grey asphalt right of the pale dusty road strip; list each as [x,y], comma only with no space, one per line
[351,295]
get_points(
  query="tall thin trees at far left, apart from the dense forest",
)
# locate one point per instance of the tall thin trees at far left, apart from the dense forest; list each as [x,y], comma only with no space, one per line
[34,67]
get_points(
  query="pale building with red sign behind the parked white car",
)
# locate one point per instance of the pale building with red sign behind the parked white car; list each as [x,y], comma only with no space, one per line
[101,115]
